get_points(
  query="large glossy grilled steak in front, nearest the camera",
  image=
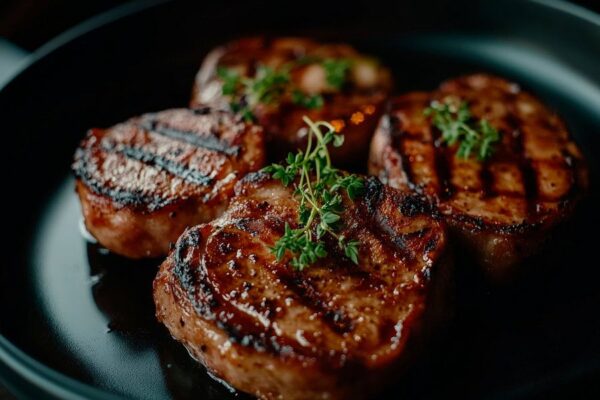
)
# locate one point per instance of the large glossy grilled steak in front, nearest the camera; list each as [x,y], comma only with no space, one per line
[335,330]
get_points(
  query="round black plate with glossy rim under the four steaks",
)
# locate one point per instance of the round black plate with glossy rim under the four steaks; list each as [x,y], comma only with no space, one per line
[78,323]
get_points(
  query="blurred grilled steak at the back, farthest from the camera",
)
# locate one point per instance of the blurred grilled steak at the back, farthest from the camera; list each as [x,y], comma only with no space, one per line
[353,109]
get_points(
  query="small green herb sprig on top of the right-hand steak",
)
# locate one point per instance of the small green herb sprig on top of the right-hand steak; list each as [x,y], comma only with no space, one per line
[458,125]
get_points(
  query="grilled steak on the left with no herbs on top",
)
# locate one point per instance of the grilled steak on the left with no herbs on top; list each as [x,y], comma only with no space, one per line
[142,182]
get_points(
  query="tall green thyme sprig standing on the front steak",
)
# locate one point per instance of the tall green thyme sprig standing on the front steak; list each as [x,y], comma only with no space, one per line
[318,186]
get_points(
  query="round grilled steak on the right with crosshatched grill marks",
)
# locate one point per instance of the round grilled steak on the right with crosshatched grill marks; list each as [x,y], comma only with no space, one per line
[501,209]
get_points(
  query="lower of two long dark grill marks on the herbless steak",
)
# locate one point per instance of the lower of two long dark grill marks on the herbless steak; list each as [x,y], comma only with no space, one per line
[154,160]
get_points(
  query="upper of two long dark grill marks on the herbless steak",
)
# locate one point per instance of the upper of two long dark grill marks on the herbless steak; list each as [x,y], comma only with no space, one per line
[209,142]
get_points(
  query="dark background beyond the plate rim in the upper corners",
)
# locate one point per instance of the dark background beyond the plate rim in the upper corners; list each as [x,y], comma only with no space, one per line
[28,24]
